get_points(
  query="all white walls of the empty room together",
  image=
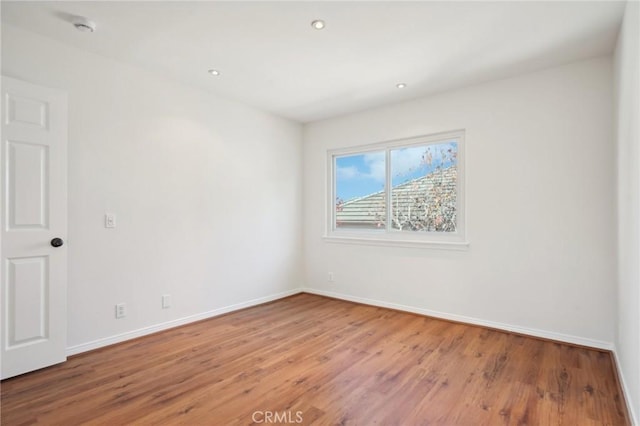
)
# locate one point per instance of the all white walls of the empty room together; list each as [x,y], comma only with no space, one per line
[208,197]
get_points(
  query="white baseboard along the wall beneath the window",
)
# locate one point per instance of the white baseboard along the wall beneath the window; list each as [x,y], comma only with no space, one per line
[576,340]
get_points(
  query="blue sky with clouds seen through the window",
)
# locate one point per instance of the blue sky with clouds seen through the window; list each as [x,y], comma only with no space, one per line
[363,174]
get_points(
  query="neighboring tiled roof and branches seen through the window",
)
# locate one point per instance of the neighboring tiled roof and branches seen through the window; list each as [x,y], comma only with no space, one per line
[426,202]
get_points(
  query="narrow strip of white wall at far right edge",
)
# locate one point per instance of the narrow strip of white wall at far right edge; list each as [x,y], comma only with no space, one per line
[627,91]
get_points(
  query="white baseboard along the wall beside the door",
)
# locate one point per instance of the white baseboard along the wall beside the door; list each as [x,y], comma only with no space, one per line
[89,346]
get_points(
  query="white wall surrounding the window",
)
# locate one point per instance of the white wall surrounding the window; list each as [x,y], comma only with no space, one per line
[540,207]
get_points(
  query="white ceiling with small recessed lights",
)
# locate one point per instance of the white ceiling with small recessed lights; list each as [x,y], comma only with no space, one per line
[270,57]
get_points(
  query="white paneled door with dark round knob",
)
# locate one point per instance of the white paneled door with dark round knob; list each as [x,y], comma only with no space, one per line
[33,307]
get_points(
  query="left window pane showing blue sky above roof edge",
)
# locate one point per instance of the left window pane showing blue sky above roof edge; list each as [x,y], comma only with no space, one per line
[360,196]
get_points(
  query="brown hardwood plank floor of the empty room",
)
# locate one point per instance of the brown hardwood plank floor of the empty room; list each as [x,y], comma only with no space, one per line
[313,360]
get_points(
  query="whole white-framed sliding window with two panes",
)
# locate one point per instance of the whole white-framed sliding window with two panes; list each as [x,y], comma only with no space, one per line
[407,191]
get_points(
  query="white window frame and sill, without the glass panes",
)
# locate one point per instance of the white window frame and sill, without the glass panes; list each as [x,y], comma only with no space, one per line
[388,236]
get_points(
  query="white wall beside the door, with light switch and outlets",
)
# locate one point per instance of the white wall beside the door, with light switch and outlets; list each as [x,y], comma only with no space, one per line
[207,192]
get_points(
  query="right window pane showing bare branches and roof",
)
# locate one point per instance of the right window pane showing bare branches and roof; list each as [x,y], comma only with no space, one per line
[423,187]
